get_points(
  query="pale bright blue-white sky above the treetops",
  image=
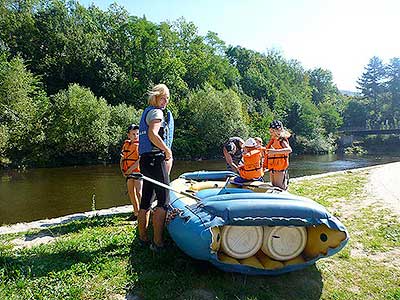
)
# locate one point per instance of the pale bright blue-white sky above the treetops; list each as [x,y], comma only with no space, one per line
[338,35]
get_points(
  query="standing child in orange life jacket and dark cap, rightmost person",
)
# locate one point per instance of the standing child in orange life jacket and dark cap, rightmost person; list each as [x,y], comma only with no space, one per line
[277,159]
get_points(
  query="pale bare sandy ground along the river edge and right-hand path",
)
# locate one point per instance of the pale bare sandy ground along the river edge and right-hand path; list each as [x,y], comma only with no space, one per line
[383,188]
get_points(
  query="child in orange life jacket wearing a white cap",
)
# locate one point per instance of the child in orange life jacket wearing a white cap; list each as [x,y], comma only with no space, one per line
[251,166]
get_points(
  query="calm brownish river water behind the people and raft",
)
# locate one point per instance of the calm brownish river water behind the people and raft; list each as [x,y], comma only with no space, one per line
[52,192]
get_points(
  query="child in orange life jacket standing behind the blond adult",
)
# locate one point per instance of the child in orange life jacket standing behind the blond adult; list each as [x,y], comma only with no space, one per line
[129,163]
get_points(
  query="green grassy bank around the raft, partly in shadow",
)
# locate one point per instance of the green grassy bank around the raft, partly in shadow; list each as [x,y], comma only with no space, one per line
[100,258]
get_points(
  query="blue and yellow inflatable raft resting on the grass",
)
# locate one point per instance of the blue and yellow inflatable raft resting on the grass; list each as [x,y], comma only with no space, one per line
[252,228]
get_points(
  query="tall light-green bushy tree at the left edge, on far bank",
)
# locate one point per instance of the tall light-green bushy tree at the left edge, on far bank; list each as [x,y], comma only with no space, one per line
[23,112]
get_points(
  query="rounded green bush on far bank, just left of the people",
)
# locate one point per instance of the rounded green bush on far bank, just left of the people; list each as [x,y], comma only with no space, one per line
[78,126]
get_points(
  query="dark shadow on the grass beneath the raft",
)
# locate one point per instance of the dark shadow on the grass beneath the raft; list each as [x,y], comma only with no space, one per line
[174,275]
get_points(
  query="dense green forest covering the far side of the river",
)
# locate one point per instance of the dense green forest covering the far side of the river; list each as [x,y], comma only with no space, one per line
[73,78]
